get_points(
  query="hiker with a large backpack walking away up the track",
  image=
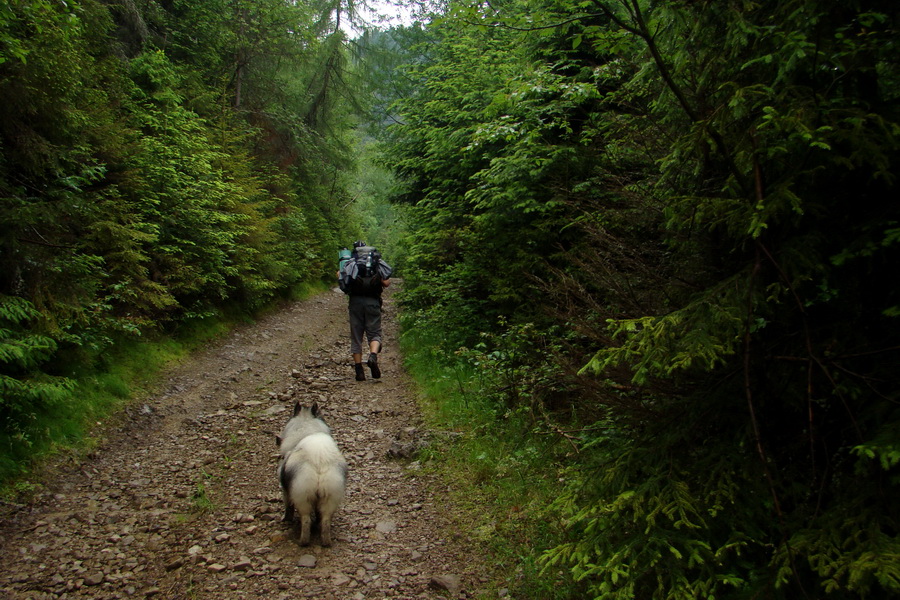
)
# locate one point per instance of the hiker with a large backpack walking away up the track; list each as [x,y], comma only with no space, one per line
[363,276]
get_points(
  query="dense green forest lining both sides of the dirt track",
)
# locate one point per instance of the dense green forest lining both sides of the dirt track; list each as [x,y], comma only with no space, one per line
[650,253]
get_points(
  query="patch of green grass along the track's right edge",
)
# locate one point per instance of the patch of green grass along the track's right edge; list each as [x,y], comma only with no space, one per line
[502,469]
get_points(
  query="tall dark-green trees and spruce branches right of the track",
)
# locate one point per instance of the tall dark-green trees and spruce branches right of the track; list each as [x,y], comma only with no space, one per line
[700,198]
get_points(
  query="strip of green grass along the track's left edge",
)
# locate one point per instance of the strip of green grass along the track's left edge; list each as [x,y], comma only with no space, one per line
[126,373]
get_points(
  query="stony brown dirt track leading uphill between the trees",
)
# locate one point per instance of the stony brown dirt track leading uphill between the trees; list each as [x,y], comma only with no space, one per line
[181,499]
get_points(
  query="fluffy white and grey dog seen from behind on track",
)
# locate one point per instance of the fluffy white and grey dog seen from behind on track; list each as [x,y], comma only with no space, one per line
[312,472]
